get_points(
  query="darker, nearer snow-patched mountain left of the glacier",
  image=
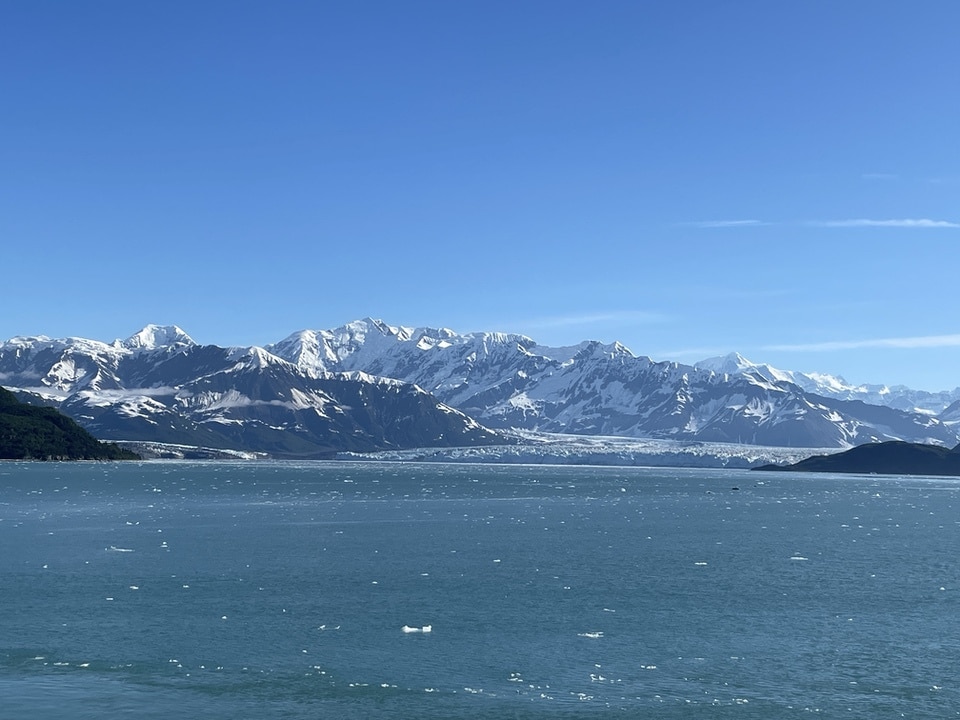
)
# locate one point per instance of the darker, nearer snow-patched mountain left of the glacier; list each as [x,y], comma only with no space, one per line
[161,386]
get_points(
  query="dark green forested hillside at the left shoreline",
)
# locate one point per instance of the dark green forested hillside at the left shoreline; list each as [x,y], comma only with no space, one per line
[40,433]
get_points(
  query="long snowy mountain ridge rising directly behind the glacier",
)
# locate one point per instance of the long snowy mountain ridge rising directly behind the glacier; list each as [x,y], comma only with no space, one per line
[508,381]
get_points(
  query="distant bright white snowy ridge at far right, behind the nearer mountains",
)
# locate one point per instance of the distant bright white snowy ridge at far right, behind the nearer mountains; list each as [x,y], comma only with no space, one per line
[899,397]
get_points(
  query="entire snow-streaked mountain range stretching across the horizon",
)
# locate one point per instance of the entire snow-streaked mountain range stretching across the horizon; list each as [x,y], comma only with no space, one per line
[370,386]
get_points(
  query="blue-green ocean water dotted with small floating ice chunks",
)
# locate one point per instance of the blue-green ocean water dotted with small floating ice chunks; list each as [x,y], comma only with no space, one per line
[262,590]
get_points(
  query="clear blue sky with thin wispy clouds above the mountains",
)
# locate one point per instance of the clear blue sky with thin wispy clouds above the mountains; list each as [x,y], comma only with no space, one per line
[690,178]
